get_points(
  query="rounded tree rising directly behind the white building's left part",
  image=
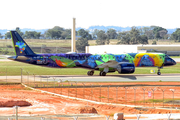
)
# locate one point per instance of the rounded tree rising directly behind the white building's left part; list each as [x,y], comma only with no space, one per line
[102,38]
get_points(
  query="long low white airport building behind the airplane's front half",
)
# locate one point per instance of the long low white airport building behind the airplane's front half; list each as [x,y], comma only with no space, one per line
[173,50]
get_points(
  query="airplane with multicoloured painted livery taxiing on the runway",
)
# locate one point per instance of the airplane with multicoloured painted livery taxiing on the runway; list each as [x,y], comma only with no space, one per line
[105,63]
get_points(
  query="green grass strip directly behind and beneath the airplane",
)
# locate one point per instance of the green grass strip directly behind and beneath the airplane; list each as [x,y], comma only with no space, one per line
[13,68]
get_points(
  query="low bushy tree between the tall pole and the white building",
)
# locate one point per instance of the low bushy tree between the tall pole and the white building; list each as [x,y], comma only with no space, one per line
[81,43]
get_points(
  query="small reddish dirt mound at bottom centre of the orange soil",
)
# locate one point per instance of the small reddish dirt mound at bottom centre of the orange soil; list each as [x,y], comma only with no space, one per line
[87,109]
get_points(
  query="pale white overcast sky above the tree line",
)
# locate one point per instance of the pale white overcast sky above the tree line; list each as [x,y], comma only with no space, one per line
[45,14]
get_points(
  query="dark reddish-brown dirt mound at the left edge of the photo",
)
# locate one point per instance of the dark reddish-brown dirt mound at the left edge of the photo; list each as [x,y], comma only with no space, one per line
[11,103]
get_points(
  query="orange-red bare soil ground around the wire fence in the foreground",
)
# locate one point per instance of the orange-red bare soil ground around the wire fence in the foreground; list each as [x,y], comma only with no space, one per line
[41,103]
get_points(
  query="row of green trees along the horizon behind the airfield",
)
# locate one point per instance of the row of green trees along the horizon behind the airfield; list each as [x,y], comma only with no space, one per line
[102,37]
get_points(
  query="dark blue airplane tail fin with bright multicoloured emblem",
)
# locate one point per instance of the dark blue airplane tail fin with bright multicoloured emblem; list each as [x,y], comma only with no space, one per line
[20,46]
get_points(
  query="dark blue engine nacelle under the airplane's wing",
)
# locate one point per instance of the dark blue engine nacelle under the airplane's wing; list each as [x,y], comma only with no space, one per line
[125,68]
